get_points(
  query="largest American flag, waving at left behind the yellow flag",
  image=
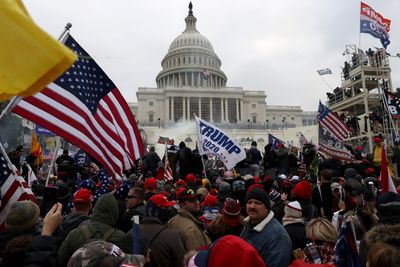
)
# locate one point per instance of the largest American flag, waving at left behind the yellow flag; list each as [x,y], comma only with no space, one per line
[84,107]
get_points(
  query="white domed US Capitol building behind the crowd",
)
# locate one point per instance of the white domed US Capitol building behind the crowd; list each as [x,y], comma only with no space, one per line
[191,82]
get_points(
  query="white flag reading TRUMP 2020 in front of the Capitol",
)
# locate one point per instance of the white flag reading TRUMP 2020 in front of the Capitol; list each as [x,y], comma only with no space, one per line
[213,140]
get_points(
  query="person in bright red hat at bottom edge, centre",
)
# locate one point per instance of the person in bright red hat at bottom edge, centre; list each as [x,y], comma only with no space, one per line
[227,251]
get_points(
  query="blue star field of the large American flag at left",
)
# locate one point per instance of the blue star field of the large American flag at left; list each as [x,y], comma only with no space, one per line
[85,80]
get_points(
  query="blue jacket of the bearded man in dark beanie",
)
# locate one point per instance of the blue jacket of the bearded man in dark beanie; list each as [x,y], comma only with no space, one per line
[271,240]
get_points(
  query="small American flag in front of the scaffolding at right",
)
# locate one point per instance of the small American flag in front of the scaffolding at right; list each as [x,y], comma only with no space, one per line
[332,122]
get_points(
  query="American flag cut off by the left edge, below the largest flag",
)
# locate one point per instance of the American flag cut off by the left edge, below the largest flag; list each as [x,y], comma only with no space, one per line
[13,189]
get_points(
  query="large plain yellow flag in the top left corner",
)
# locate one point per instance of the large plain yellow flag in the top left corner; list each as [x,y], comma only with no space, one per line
[30,58]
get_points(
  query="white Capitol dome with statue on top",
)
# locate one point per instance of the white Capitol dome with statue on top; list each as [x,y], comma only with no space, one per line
[191,61]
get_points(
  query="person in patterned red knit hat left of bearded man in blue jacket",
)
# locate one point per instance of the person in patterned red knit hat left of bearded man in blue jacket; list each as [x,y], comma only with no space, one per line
[230,222]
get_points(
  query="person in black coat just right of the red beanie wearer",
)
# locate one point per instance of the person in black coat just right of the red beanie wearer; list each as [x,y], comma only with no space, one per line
[322,197]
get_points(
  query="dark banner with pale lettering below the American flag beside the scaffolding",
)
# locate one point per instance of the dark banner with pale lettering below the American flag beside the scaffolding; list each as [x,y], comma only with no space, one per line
[329,145]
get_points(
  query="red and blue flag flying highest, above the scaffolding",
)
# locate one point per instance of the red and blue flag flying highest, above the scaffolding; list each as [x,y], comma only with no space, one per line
[375,24]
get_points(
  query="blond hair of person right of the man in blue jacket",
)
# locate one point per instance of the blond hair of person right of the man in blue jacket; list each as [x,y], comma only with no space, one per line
[321,229]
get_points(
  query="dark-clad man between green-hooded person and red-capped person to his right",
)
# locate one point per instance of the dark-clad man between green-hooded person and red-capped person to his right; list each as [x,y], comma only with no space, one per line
[134,206]
